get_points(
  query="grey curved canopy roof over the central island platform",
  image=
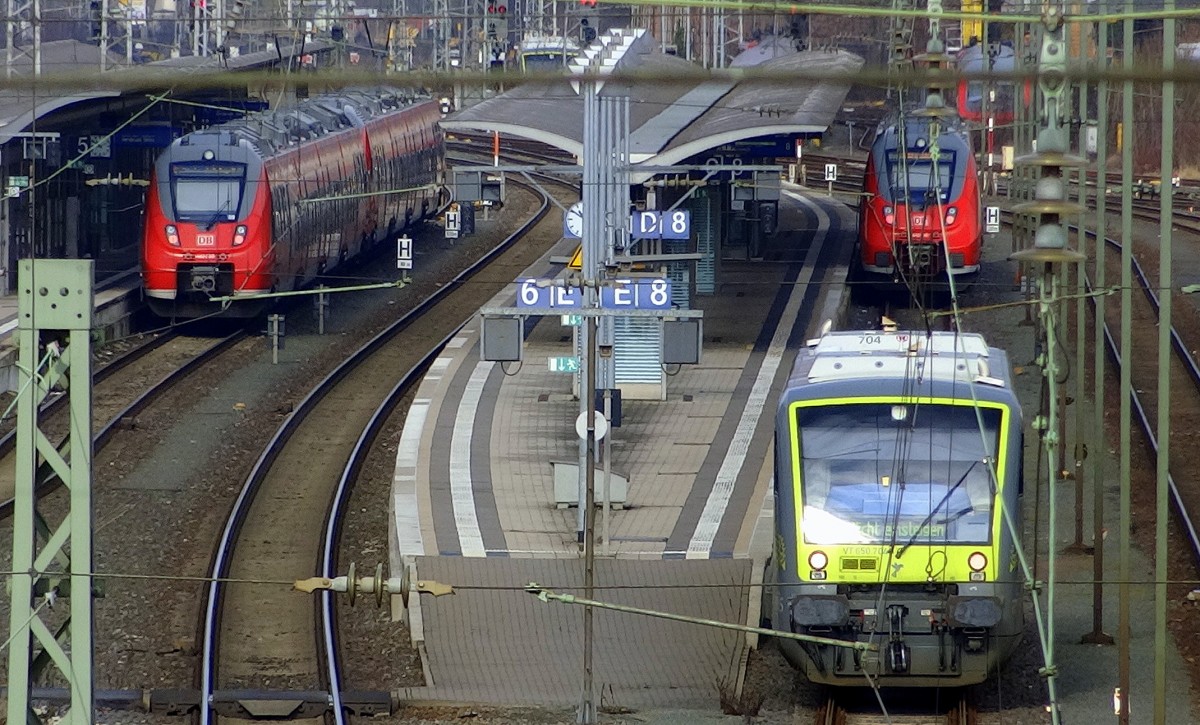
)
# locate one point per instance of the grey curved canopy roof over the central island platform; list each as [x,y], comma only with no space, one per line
[674,122]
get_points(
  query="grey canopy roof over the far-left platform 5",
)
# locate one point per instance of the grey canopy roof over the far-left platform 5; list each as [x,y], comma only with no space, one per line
[21,107]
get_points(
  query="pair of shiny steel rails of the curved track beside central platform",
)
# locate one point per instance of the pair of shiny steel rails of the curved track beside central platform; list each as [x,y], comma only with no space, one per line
[226,547]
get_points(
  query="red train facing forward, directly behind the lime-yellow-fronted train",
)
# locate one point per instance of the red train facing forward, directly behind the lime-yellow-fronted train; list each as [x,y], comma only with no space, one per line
[920,217]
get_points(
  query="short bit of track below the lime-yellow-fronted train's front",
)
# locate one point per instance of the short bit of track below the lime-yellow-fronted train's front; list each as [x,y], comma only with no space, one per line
[914,709]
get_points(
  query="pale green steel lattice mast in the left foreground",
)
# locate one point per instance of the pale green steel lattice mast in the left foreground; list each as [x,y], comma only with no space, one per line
[53,561]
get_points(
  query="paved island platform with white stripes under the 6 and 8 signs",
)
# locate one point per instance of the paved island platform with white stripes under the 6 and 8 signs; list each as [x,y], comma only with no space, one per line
[475,495]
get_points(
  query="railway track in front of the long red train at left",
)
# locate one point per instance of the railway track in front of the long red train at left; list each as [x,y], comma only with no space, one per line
[121,392]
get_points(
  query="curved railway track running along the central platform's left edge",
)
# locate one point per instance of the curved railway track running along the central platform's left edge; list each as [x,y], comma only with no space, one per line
[286,520]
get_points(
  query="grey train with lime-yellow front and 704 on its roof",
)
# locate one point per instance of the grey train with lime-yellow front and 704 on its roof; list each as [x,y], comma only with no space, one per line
[897,499]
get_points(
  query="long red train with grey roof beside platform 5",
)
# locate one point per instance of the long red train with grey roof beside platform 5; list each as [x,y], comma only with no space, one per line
[268,202]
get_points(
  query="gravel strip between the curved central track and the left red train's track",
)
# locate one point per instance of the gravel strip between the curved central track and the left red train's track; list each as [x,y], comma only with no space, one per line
[163,490]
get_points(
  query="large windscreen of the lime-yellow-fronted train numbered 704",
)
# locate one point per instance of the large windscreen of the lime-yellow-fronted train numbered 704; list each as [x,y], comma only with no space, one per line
[884,474]
